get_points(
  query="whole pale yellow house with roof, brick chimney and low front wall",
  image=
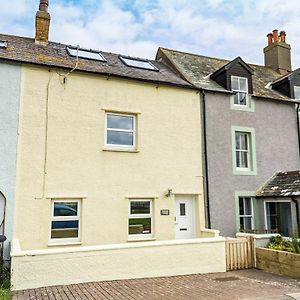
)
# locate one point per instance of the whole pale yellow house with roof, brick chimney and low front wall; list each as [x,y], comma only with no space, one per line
[109,180]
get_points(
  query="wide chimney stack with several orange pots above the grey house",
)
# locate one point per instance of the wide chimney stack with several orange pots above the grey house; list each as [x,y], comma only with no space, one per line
[278,53]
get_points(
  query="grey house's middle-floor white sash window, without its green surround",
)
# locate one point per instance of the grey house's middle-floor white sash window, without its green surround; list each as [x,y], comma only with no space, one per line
[242,150]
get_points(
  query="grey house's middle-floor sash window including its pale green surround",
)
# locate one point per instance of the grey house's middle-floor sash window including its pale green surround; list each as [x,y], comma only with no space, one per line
[243,151]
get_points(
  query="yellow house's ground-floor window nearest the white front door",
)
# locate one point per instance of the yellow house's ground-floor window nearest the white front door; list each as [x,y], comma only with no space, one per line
[140,220]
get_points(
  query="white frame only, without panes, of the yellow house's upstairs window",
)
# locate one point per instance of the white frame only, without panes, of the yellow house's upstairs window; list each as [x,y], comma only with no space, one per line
[134,131]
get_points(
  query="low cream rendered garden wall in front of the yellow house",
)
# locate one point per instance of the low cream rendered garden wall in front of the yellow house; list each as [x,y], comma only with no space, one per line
[46,267]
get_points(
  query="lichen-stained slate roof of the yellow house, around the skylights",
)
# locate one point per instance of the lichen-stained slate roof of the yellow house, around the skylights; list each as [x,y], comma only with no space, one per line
[24,50]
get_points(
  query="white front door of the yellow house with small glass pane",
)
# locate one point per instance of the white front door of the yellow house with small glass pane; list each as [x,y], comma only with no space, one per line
[184,217]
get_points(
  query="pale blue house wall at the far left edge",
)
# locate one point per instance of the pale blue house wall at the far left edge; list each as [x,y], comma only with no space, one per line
[10,78]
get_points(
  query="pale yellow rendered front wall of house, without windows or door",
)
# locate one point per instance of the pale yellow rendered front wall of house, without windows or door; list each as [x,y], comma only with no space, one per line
[169,154]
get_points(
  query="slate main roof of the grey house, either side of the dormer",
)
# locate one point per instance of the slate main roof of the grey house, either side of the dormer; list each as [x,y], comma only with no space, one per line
[197,70]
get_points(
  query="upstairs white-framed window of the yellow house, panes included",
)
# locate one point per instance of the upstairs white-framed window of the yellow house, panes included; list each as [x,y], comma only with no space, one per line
[120,130]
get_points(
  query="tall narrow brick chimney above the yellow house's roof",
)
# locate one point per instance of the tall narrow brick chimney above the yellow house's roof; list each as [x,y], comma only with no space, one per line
[42,23]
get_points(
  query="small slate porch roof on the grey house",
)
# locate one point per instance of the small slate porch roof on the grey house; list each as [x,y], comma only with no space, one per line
[282,184]
